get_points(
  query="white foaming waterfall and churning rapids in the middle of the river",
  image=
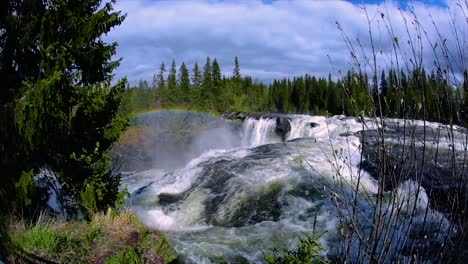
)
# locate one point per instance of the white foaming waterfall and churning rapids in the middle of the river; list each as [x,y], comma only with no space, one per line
[229,203]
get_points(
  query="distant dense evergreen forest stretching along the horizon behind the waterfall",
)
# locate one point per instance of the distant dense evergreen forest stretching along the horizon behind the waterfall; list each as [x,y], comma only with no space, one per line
[393,93]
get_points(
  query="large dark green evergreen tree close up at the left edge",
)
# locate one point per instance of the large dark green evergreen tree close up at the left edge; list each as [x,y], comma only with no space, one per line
[58,107]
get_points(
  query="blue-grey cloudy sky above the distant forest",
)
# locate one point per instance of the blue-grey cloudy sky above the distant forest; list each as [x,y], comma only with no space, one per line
[272,38]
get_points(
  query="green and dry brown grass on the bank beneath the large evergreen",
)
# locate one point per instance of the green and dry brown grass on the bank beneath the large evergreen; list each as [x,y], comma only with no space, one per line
[106,238]
